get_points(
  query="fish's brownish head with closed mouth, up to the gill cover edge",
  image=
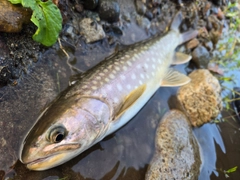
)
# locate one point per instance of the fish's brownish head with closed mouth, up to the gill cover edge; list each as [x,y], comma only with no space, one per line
[64,130]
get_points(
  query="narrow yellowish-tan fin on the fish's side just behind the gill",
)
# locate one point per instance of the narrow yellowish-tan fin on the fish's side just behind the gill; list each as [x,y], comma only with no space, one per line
[130,100]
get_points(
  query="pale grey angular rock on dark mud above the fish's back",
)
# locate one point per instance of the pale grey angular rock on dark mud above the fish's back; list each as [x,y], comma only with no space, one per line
[91,30]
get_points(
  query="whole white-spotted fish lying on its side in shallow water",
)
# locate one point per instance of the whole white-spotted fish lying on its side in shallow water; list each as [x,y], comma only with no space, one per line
[104,98]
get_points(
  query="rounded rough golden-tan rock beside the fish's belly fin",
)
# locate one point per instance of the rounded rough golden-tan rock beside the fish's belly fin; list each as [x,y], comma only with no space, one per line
[201,98]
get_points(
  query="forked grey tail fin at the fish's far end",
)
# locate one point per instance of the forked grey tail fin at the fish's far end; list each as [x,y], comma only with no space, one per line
[186,36]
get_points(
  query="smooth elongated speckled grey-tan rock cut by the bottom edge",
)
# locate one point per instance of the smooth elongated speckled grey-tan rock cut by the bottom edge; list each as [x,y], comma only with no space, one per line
[177,153]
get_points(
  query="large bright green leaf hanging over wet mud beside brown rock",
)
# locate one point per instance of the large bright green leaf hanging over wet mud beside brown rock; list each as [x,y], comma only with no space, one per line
[48,19]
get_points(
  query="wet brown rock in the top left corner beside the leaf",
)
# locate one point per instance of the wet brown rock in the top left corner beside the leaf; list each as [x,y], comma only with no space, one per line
[12,17]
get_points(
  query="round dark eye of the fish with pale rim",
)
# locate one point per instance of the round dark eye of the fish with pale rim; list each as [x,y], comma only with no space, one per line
[56,134]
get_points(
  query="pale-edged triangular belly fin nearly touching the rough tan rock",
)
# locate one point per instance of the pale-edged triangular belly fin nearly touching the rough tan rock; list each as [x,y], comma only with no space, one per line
[175,78]
